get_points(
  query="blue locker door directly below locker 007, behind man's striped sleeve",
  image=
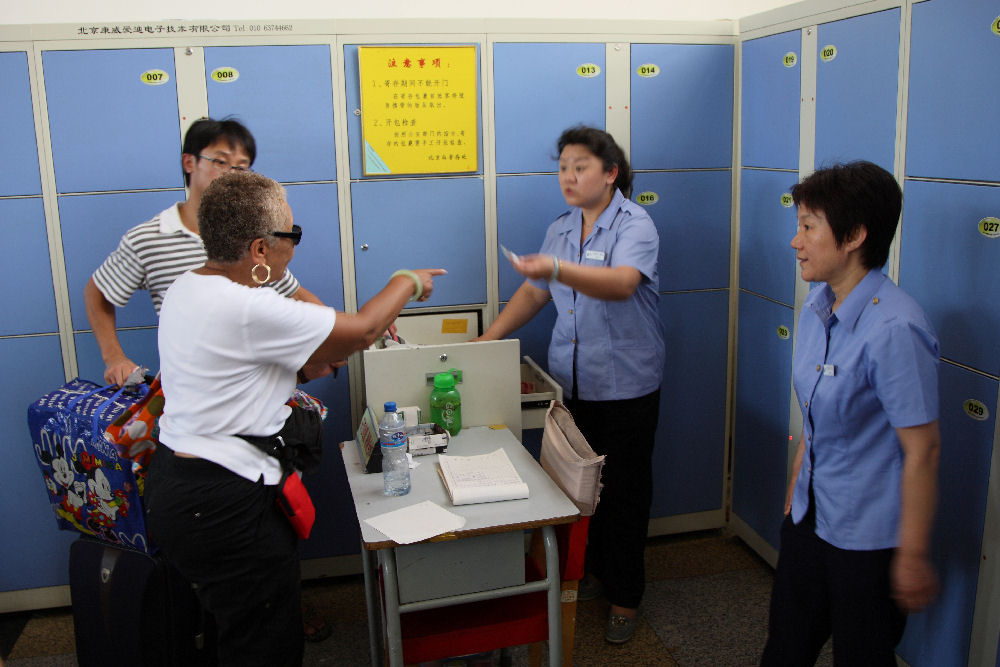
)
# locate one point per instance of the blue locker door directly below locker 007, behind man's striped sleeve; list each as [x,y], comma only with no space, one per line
[92,227]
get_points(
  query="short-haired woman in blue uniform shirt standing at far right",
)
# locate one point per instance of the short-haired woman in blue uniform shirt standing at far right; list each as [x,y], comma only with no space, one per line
[860,503]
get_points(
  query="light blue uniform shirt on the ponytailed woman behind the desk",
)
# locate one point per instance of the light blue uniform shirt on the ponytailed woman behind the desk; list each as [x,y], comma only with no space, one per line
[618,345]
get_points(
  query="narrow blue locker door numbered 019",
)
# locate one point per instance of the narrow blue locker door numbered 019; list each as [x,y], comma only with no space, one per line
[771,85]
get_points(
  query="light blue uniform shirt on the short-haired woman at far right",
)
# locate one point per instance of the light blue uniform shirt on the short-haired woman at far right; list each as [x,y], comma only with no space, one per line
[860,373]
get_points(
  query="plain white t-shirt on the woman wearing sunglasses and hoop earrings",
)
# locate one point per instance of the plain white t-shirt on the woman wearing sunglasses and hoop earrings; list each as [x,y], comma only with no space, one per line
[228,358]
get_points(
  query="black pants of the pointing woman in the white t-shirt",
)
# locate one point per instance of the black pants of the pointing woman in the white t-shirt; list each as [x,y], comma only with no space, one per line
[226,535]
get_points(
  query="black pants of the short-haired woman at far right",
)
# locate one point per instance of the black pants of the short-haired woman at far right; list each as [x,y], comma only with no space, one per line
[821,590]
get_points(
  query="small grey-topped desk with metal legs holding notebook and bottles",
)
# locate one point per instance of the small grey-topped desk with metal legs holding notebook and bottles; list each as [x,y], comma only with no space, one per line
[477,557]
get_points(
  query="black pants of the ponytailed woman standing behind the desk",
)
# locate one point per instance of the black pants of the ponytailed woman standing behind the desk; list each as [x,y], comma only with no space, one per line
[623,431]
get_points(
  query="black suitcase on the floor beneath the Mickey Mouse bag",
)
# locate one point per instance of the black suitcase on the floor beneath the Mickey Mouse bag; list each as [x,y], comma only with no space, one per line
[133,609]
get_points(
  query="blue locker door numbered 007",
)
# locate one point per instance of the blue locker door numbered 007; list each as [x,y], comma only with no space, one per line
[113,119]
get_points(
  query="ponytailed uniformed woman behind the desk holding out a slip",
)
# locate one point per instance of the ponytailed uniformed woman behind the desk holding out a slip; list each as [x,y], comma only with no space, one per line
[598,265]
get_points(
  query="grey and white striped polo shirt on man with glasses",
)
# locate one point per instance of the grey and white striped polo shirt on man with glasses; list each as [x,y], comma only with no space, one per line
[152,255]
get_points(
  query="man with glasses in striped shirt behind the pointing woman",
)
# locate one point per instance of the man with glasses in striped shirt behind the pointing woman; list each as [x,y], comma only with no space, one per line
[153,254]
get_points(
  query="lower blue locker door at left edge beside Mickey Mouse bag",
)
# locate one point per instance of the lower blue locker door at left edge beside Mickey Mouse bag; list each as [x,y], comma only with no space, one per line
[34,552]
